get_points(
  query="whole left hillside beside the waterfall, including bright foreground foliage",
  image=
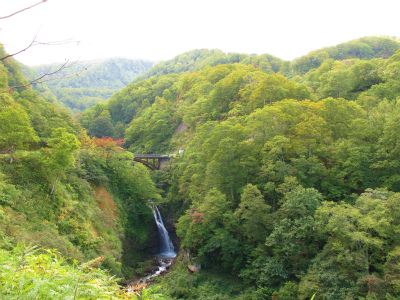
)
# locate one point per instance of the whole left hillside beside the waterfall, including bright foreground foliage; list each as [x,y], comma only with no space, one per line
[69,204]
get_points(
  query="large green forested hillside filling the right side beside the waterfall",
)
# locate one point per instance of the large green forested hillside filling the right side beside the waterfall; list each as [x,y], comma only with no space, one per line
[289,177]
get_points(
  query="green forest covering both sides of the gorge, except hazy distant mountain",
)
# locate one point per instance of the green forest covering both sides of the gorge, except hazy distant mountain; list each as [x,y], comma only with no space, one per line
[288,186]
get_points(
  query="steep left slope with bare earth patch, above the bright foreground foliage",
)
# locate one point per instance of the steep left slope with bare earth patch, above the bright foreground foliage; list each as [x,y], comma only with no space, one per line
[60,189]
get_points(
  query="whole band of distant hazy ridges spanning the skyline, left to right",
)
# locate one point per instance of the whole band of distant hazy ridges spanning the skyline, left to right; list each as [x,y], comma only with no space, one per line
[97,80]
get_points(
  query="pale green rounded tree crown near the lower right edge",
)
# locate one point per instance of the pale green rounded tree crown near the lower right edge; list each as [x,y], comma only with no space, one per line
[358,230]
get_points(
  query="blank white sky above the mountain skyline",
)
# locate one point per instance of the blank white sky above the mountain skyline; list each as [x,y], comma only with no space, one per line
[162,29]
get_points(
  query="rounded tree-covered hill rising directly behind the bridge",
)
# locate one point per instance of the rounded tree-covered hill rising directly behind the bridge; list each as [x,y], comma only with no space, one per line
[150,109]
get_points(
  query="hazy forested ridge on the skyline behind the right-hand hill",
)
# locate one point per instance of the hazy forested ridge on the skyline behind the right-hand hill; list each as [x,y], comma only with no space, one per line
[364,48]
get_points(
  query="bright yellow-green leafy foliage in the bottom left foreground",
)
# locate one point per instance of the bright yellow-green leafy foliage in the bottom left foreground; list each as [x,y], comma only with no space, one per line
[26,274]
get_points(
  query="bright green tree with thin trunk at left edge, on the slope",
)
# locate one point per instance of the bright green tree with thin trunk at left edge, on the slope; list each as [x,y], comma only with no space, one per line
[16,130]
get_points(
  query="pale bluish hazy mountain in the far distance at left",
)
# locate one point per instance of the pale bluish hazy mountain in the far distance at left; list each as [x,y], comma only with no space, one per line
[83,84]
